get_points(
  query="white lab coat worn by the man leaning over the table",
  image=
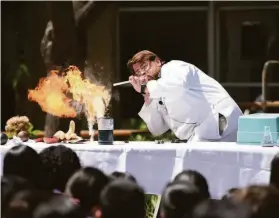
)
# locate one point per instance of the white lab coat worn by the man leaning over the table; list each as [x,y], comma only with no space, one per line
[187,101]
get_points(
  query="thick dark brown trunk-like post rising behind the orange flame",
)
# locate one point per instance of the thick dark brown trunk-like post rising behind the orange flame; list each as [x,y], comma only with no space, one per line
[60,47]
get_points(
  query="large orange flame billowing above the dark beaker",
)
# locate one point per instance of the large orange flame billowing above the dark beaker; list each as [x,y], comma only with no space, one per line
[51,93]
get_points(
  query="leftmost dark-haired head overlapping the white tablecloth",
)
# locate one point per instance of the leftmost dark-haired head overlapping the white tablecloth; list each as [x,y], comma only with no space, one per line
[23,161]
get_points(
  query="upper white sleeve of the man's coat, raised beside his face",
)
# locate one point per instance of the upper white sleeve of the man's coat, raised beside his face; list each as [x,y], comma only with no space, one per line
[175,77]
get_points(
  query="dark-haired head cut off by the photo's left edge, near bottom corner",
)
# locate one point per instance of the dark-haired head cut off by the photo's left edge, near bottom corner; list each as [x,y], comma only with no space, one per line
[11,185]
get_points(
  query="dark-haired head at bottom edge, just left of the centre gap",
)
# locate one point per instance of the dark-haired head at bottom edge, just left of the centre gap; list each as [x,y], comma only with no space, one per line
[122,198]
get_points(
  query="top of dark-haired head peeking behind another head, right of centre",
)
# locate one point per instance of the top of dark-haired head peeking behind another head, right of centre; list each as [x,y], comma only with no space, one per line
[195,178]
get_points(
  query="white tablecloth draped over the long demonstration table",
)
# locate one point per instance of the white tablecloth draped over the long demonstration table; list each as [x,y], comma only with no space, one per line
[225,165]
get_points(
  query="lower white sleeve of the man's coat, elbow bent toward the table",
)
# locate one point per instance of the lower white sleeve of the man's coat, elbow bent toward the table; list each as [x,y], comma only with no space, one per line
[153,119]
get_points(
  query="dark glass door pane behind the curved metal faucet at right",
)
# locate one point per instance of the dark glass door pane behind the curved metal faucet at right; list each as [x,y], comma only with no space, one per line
[243,38]
